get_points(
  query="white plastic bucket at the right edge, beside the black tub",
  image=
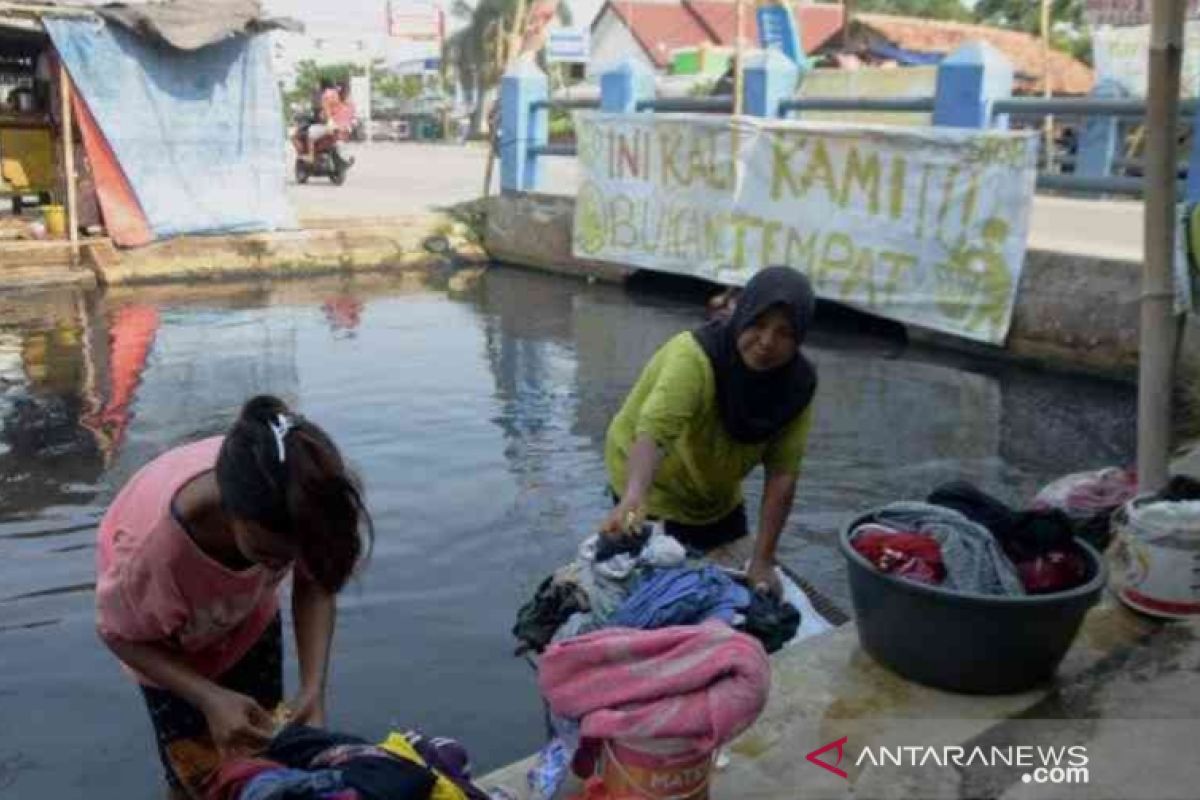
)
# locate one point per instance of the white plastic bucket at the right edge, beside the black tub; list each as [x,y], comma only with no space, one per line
[1157,560]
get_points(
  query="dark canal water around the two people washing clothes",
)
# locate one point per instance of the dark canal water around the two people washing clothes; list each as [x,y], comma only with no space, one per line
[477,422]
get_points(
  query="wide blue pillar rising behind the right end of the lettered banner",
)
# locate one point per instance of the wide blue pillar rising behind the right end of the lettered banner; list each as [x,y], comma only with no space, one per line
[969,81]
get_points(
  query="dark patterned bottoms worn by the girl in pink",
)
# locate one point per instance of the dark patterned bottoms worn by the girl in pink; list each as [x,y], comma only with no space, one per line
[185,747]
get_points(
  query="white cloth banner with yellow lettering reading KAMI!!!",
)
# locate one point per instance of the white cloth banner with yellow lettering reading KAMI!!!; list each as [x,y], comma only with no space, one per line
[923,226]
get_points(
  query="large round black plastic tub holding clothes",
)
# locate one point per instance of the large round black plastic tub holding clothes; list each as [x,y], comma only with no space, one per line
[965,642]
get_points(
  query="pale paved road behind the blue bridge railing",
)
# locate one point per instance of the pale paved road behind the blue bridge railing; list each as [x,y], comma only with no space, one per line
[401,179]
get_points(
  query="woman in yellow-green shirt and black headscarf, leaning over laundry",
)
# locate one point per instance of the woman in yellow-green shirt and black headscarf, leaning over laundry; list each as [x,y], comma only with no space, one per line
[710,407]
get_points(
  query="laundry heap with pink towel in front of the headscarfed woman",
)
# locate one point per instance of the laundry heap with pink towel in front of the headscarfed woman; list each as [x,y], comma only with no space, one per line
[640,640]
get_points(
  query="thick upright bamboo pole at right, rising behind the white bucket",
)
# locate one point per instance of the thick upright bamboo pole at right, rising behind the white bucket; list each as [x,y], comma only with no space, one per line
[1159,330]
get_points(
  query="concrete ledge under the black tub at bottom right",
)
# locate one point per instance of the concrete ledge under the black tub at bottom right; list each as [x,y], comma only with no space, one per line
[1129,693]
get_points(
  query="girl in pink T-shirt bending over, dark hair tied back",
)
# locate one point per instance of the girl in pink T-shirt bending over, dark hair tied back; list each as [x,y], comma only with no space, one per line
[190,557]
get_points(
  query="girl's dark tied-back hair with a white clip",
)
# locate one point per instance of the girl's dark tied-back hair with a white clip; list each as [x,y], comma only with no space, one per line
[309,494]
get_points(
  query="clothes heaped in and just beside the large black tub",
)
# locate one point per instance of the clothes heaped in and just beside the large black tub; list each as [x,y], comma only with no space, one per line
[965,540]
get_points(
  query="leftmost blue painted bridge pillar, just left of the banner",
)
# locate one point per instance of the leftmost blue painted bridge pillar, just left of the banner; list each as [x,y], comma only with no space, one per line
[524,125]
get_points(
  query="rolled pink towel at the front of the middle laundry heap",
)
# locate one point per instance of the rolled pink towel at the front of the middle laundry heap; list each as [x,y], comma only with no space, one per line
[704,684]
